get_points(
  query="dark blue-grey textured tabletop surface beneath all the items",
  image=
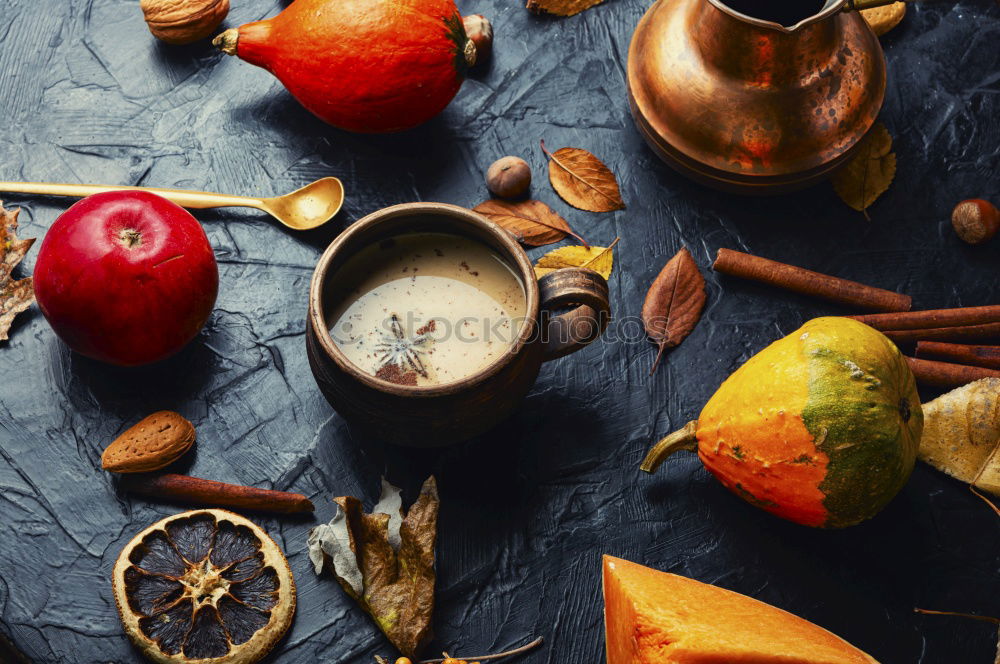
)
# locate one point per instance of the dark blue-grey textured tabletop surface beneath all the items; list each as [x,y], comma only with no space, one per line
[87,95]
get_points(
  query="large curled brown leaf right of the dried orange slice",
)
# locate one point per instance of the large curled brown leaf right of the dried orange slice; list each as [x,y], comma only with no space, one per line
[385,561]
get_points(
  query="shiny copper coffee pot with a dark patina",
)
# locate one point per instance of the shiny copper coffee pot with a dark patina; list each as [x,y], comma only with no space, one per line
[751,105]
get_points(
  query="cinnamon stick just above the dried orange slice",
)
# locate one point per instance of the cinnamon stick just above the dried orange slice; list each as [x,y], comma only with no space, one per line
[209,492]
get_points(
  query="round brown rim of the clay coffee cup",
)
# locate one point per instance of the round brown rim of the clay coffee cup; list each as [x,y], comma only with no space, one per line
[514,254]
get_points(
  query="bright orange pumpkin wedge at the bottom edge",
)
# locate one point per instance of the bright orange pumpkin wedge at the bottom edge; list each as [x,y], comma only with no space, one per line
[652,617]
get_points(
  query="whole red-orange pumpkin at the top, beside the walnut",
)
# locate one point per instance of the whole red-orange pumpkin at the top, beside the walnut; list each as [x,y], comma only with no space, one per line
[368,66]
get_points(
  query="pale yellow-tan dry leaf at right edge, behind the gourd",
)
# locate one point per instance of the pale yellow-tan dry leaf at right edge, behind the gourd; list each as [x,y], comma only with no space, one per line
[961,434]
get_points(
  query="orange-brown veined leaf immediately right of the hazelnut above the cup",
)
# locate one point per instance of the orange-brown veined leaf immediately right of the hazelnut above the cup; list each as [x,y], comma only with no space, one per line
[582,180]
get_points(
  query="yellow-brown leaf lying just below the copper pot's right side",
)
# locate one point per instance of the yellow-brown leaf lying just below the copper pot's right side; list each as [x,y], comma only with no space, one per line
[869,172]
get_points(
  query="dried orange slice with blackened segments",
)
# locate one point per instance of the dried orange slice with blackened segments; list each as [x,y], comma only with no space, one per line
[204,586]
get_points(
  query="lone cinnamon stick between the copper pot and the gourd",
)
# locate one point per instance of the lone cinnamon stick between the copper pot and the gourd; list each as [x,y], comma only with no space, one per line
[807,282]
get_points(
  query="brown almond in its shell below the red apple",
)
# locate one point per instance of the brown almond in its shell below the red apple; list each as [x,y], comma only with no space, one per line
[154,442]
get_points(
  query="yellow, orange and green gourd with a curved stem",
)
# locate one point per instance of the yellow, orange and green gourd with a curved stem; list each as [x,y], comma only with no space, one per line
[820,428]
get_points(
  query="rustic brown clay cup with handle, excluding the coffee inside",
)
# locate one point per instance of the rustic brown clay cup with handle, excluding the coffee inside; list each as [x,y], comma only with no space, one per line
[431,416]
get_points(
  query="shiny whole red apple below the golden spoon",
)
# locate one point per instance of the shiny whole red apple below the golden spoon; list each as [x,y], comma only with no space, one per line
[126,277]
